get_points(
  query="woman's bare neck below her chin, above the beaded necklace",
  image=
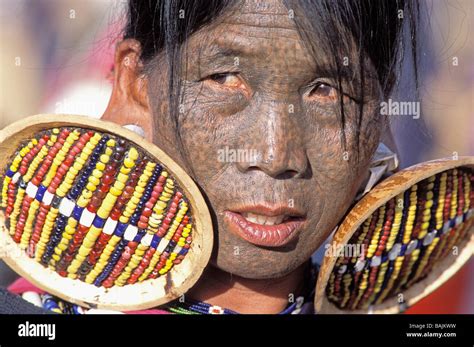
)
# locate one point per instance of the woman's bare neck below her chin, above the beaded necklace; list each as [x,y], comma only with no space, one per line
[244,295]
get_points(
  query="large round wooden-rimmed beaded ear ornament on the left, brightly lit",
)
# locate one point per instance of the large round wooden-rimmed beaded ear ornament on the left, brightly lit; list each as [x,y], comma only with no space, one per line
[96,215]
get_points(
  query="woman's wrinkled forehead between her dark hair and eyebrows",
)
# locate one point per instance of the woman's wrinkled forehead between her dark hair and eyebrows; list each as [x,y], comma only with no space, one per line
[253,29]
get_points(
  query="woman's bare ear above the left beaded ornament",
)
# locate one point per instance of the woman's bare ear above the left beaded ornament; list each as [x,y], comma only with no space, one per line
[129,104]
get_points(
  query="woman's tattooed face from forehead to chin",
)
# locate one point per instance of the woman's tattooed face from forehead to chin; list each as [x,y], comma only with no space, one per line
[260,133]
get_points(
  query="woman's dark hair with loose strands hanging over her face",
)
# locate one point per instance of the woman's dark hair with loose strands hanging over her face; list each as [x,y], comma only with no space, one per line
[375,25]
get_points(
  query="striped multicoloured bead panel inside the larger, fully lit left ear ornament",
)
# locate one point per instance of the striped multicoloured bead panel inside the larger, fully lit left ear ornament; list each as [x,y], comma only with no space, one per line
[93,207]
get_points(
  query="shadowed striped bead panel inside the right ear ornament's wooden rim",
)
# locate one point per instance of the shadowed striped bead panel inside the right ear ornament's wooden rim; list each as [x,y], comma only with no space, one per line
[403,240]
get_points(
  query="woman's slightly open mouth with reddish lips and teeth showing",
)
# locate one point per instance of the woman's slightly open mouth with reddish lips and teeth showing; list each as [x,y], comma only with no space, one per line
[264,226]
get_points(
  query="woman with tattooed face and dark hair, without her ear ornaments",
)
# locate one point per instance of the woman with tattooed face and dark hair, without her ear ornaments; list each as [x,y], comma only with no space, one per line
[273,109]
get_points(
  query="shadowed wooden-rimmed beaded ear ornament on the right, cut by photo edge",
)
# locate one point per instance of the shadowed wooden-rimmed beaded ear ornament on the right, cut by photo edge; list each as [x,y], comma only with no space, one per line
[401,241]
